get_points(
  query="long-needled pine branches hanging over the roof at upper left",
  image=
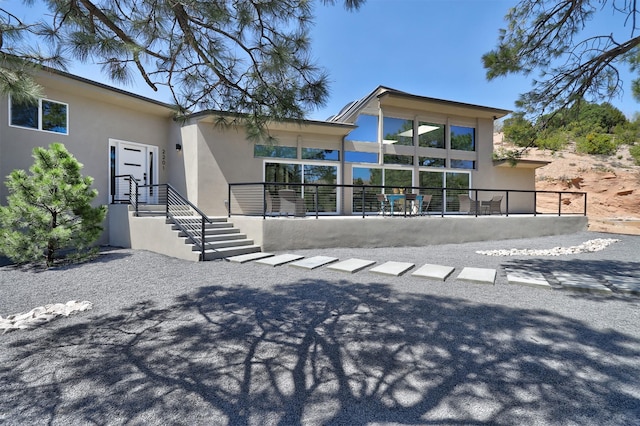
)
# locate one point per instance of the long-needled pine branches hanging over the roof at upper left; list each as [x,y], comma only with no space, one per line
[247,57]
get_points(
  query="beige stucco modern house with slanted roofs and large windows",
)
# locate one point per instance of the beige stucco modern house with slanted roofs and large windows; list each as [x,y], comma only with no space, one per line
[388,138]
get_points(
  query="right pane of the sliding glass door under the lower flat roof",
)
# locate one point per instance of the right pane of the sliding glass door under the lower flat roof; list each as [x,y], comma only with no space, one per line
[326,196]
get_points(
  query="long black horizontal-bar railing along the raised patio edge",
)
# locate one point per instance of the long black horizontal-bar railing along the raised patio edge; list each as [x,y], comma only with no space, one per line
[268,199]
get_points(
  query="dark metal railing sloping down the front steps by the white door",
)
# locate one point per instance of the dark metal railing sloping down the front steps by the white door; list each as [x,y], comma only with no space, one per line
[185,215]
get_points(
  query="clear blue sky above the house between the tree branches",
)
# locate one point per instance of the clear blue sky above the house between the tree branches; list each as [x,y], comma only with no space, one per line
[426,47]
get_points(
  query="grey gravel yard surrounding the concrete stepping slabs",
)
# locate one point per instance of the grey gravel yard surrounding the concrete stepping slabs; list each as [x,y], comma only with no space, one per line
[174,342]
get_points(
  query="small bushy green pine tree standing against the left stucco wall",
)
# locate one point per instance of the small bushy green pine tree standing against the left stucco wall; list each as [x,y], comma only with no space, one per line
[49,210]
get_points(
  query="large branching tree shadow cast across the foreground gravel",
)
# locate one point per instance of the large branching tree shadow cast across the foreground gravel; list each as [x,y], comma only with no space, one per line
[321,353]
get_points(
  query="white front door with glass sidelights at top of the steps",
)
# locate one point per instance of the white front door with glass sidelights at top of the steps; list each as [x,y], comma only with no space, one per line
[136,160]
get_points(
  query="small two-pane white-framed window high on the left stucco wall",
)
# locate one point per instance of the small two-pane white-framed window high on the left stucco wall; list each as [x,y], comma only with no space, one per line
[45,115]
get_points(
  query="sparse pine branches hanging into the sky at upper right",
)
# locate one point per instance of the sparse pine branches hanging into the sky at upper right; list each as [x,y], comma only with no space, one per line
[548,36]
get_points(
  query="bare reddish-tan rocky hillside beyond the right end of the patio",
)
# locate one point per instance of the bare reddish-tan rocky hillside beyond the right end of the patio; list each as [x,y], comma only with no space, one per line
[612,184]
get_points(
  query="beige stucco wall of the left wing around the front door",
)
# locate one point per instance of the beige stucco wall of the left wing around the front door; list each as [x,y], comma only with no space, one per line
[95,115]
